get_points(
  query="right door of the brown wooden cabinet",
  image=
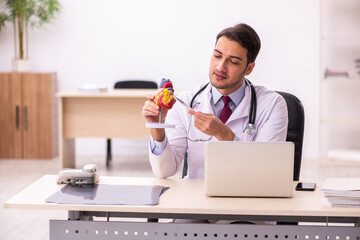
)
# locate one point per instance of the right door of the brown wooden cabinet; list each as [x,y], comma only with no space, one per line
[37,115]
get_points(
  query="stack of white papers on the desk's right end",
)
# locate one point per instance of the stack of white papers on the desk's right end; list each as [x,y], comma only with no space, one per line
[341,192]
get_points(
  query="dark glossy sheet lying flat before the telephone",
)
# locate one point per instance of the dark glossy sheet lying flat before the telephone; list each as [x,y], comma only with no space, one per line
[106,194]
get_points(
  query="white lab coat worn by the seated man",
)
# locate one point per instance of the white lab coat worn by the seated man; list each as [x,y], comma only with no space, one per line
[270,125]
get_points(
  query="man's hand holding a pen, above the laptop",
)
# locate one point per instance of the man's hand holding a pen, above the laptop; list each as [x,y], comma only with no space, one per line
[212,126]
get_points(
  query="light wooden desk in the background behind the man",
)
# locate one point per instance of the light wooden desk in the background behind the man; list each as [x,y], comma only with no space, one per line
[116,113]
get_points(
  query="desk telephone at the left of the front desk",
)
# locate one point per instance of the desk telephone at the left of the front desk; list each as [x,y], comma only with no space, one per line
[87,175]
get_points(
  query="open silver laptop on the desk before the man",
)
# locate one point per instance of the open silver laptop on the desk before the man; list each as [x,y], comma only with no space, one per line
[249,169]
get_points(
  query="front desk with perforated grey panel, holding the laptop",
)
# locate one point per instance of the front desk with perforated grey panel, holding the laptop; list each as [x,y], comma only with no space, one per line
[186,199]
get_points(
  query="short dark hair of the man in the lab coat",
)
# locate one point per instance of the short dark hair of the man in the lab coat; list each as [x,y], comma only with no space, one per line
[246,37]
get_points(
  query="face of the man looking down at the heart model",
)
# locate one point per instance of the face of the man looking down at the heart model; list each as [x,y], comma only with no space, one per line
[228,66]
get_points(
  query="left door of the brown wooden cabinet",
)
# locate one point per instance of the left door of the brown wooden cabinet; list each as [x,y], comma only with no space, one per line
[10,115]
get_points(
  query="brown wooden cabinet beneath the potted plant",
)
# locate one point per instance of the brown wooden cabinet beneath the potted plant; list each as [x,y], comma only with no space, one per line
[28,115]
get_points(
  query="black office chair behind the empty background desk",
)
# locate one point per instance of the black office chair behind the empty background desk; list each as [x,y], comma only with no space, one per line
[128,84]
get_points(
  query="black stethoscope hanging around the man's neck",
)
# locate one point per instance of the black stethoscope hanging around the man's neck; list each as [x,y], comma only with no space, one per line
[252,113]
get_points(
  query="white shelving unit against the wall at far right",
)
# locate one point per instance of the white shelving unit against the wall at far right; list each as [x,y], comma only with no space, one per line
[339,101]
